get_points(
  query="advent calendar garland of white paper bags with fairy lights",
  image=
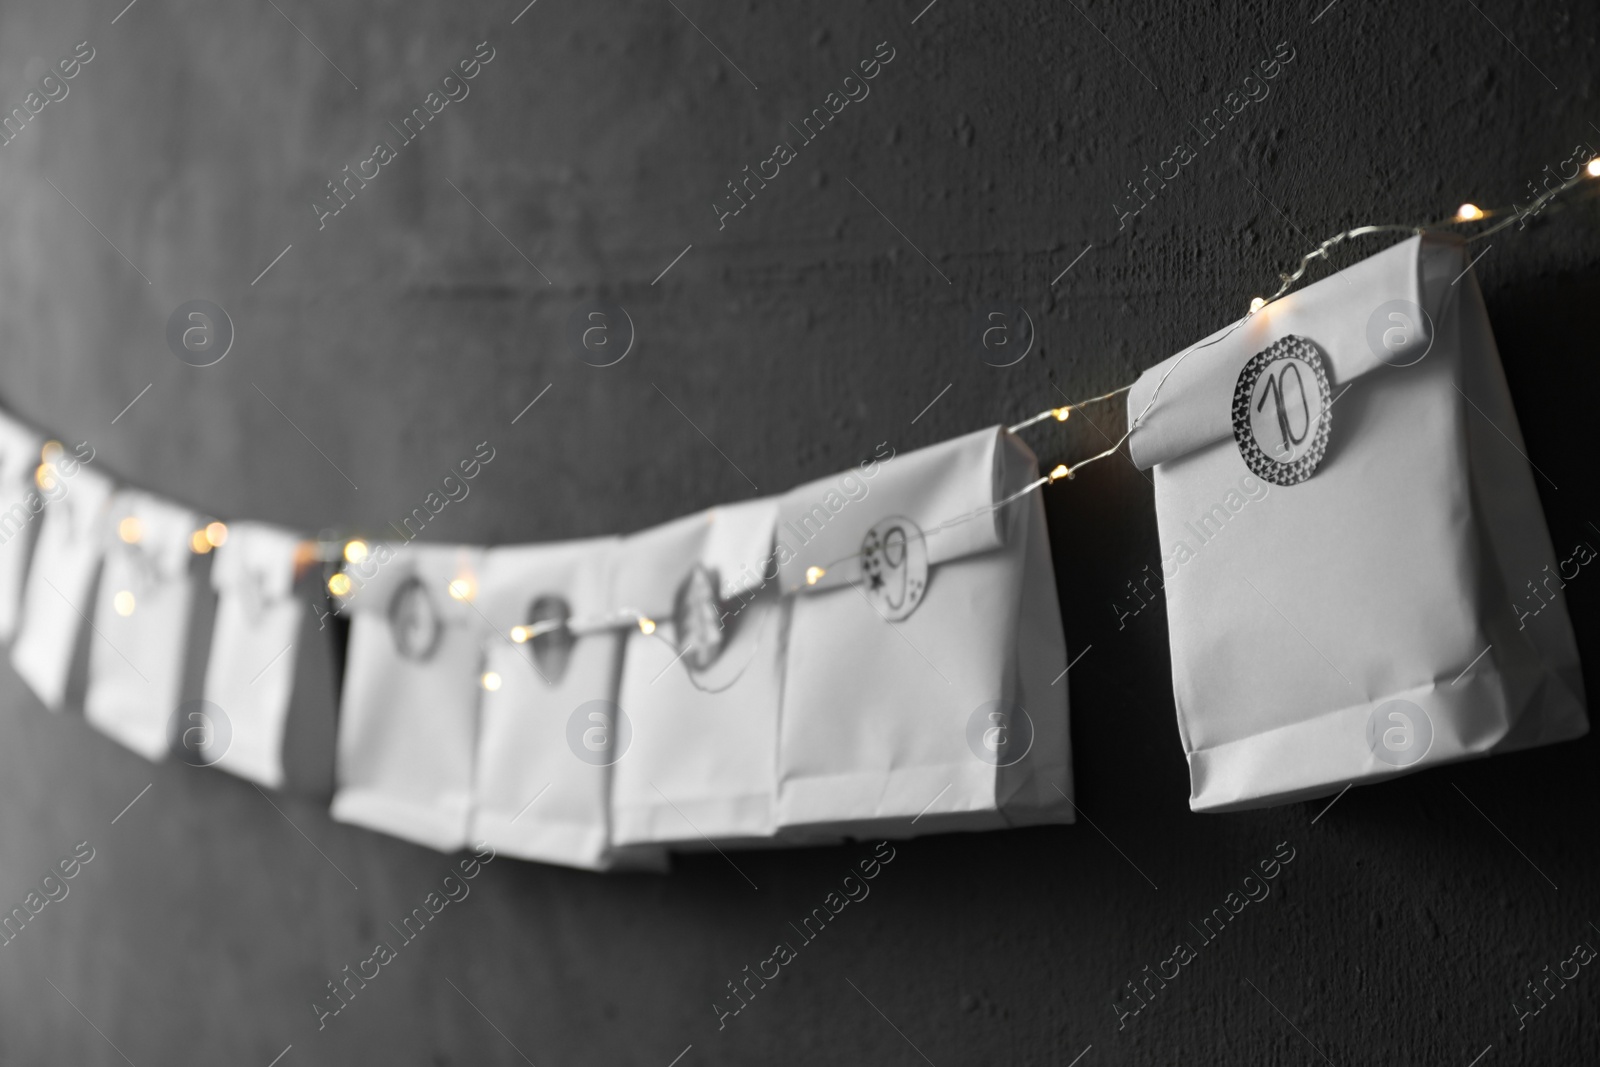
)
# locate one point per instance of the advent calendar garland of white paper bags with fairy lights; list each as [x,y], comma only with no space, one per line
[734,657]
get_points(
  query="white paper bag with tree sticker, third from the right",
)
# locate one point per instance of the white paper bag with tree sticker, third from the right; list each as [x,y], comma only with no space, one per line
[703,689]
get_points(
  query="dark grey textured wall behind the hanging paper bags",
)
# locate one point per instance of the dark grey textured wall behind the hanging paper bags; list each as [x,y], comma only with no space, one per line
[796,335]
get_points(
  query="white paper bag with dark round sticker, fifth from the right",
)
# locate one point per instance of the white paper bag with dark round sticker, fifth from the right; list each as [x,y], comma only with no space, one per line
[412,681]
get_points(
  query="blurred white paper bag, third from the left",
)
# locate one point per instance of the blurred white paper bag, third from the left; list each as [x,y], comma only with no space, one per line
[142,621]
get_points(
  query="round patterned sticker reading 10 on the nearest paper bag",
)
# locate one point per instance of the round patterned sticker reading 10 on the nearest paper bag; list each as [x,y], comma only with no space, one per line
[1282,410]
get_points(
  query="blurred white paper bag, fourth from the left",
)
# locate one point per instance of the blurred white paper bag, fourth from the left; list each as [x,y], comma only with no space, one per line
[250,673]
